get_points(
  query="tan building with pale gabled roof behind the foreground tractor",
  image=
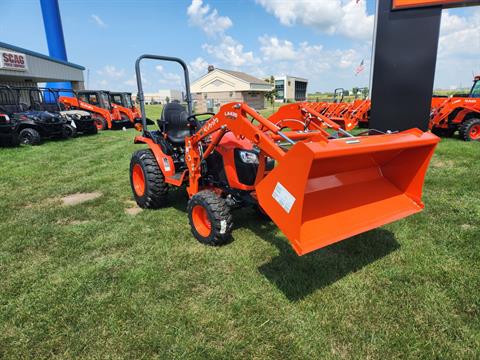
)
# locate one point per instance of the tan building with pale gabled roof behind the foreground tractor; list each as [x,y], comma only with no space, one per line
[220,86]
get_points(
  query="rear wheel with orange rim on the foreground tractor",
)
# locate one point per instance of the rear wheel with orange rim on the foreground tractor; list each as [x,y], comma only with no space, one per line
[147,180]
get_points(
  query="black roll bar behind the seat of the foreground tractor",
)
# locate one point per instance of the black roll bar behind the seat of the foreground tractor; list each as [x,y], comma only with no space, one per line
[140,96]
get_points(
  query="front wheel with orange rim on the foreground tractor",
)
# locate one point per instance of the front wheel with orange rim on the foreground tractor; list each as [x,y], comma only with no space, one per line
[210,218]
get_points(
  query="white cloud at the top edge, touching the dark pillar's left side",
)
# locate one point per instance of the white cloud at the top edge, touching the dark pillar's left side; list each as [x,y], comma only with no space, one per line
[344,17]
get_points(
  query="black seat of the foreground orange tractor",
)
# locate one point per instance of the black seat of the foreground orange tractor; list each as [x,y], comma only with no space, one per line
[175,118]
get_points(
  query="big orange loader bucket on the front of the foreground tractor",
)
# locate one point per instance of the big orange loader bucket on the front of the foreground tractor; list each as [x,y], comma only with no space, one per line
[323,192]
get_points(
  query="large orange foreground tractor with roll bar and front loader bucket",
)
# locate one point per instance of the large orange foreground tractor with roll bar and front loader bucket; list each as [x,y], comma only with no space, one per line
[318,187]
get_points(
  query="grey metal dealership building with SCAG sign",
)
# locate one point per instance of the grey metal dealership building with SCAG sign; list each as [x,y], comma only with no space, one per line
[26,68]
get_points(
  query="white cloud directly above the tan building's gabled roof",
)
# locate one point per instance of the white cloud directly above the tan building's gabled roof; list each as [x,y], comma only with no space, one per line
[230,52]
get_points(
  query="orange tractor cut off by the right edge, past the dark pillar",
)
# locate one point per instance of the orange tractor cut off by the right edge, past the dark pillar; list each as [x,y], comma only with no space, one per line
[459,113]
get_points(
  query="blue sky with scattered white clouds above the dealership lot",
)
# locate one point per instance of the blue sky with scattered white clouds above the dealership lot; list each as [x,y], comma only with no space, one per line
[323,40]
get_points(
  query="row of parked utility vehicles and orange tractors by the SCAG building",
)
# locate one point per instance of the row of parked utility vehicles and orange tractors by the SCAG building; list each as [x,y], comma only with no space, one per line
[30,115]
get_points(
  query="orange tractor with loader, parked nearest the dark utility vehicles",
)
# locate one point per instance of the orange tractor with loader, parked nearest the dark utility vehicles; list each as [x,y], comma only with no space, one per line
[97,103]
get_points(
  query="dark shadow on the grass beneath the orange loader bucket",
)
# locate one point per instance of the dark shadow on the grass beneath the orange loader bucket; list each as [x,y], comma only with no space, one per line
[299,276]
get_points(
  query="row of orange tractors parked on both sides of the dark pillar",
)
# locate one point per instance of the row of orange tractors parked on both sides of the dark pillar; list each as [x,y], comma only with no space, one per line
[460,112]
